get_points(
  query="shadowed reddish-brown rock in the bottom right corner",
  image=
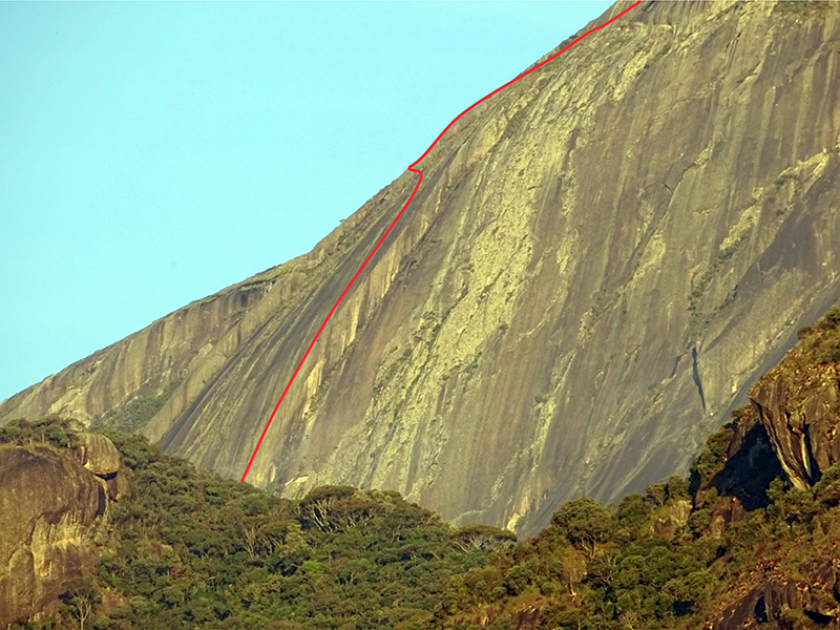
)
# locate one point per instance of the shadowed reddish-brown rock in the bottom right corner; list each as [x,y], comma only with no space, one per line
[769,605]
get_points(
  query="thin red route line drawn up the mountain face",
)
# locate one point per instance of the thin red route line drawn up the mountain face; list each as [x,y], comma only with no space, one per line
[397,218]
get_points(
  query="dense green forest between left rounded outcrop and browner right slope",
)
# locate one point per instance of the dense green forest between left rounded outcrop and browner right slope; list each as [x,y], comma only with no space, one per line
[189,549]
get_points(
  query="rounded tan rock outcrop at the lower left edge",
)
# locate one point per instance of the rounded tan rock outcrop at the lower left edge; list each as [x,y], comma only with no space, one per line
[50,507]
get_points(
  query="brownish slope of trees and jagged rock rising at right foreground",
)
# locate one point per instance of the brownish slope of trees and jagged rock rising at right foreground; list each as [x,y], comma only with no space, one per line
[751,542]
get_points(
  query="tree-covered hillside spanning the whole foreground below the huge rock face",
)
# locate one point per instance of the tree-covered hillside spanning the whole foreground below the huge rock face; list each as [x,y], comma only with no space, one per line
[737,544]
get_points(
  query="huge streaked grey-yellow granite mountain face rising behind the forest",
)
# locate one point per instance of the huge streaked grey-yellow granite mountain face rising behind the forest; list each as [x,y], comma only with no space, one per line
[600,262]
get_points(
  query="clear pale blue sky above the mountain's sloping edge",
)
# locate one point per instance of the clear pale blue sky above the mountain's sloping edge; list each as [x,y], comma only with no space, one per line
[152,153]
